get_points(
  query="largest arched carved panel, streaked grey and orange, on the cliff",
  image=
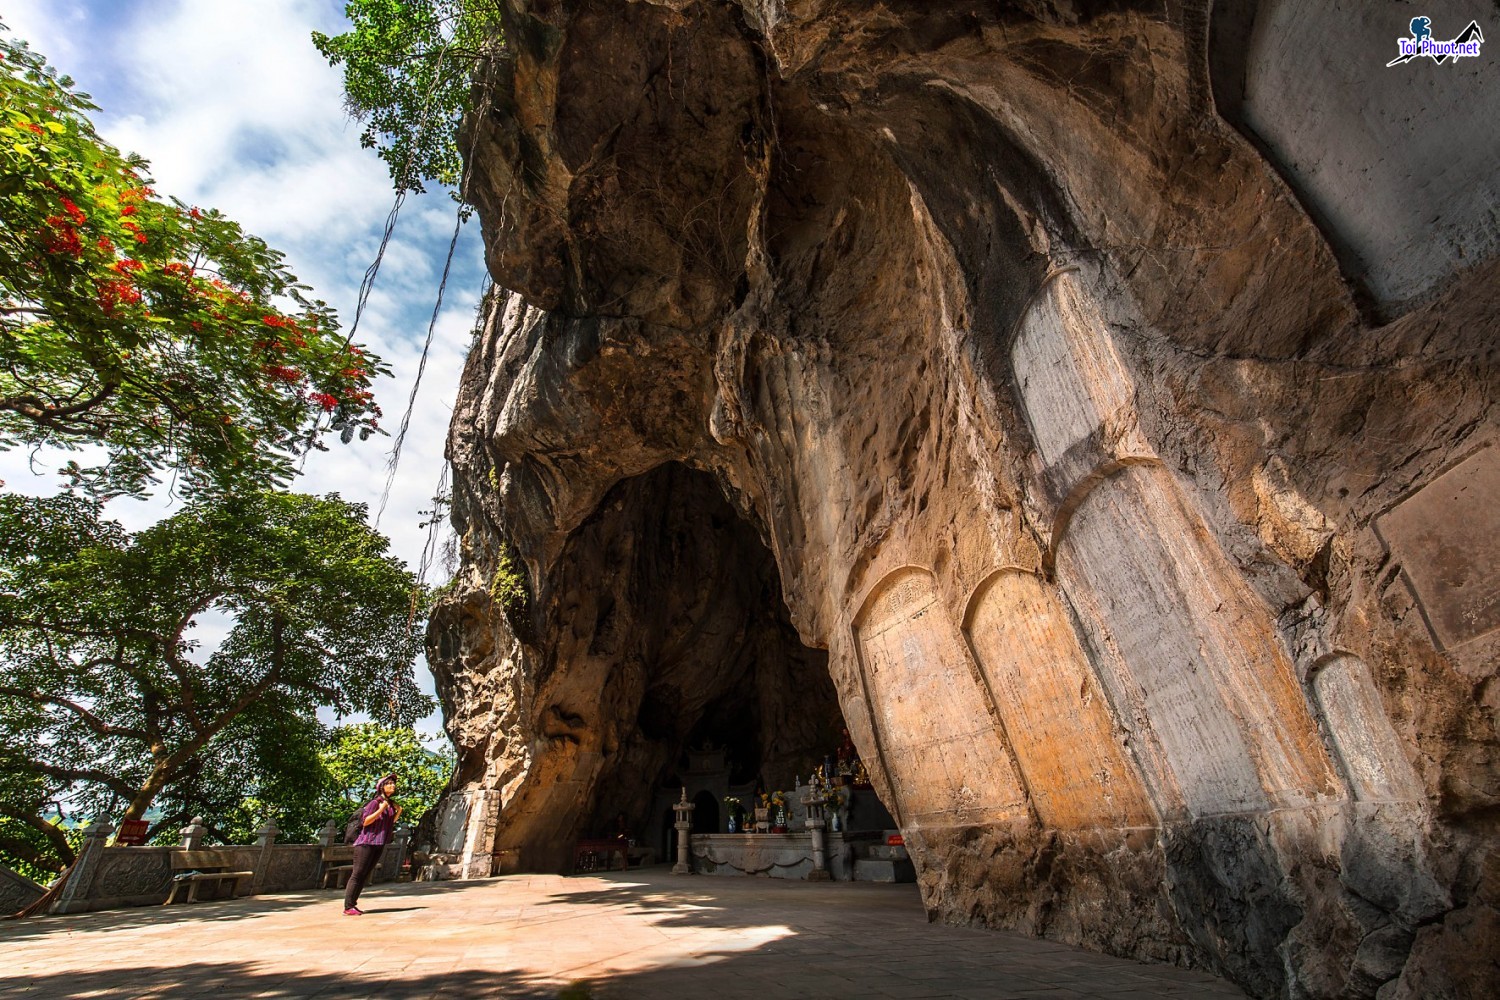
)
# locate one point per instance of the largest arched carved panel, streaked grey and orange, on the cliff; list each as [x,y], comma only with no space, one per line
[1193,645]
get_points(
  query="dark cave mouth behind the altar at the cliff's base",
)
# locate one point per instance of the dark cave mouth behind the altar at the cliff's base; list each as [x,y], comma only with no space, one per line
[710,684]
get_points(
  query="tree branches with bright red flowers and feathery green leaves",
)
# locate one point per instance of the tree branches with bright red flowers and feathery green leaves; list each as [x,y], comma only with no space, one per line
[157,331]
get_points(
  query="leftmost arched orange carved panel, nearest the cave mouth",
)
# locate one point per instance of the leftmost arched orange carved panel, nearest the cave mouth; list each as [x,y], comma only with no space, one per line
[941,747]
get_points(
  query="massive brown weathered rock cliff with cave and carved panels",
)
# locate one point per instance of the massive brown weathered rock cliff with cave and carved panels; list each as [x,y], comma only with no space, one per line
[1060,374]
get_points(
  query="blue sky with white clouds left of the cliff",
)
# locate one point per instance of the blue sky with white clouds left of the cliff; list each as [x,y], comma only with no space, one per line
[236,110]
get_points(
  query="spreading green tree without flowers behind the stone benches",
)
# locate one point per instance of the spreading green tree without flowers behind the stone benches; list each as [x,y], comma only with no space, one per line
[104,699]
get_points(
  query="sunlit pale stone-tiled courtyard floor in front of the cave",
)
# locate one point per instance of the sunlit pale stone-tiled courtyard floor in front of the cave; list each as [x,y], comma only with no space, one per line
[598,938]
